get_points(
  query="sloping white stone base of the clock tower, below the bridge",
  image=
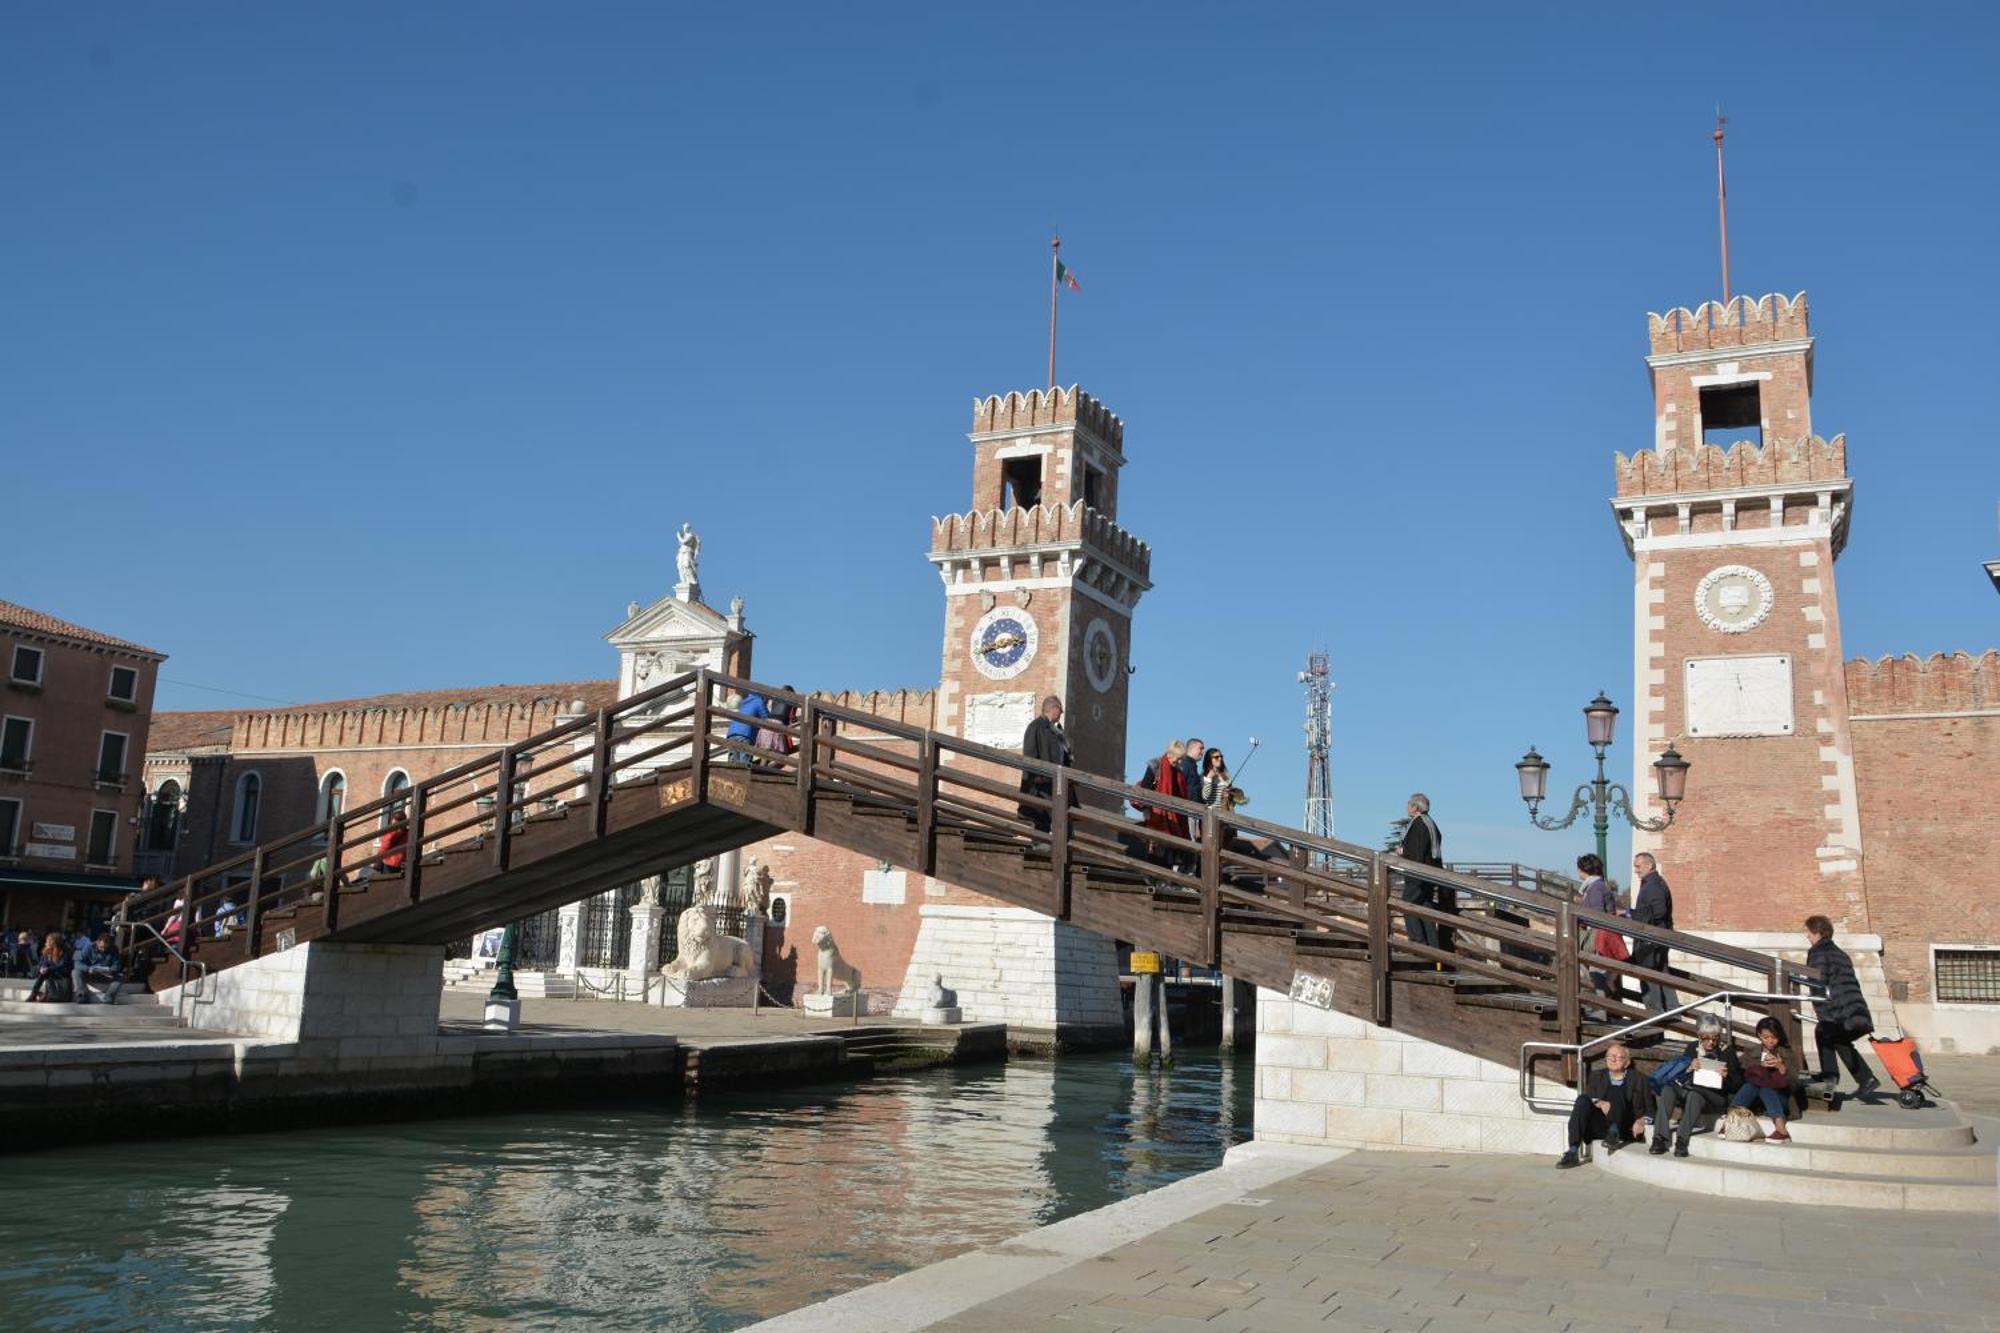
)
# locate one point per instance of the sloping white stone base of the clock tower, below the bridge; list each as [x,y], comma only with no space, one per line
[1013,966]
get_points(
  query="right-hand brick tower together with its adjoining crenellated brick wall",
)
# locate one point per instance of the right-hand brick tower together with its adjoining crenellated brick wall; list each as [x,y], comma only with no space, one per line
[1855,790]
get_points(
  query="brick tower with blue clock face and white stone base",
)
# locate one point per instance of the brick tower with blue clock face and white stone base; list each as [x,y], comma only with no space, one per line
[1039,595]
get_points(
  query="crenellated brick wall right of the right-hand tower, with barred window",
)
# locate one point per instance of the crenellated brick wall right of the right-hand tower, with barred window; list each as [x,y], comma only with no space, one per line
[1927,754]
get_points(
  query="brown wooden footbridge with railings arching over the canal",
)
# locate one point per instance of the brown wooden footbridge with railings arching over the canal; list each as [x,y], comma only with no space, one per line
[655,782]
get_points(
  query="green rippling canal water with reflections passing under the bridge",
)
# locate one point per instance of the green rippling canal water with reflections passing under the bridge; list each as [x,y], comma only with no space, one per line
[645,1216]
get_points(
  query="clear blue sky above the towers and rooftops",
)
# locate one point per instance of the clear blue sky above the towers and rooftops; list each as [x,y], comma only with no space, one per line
[385,347]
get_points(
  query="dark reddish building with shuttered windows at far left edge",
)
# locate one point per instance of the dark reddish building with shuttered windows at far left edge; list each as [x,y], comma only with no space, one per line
[75,722]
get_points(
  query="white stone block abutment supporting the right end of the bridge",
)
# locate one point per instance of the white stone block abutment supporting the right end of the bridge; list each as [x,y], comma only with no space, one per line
[1327,1080]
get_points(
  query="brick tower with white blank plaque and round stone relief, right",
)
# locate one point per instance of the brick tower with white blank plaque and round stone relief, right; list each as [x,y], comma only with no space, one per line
[1735,521]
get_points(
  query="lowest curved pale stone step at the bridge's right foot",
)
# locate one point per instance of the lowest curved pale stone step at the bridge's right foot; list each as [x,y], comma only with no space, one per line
[1773,1184]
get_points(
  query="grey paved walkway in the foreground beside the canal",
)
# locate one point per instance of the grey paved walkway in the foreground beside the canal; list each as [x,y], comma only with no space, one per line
[1443,1244]
